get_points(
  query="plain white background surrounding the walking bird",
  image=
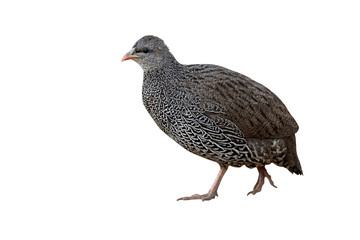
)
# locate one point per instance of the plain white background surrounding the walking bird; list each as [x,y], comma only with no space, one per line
[80,158]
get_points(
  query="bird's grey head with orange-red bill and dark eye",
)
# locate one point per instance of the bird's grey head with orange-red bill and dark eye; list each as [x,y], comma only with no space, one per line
[149,52]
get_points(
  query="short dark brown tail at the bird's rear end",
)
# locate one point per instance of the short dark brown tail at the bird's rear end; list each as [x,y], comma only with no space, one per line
[291,160]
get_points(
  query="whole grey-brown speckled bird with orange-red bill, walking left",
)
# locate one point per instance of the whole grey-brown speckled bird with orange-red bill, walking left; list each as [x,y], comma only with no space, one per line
[216,113]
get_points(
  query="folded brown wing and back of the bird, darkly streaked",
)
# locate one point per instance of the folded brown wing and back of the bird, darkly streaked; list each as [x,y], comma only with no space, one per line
[220,93]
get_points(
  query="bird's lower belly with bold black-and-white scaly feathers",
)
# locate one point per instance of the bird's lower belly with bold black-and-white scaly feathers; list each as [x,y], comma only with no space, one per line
[204,137]
